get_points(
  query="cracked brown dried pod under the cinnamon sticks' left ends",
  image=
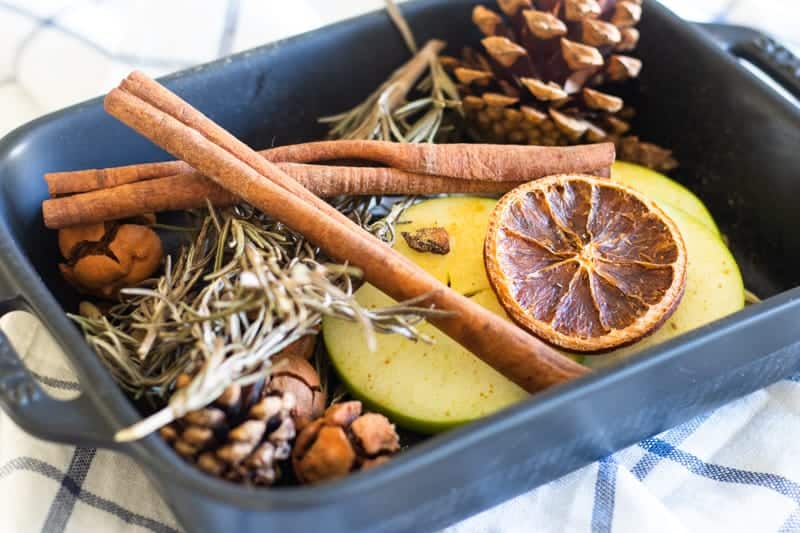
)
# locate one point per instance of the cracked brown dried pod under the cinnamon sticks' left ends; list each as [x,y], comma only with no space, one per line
[102,258]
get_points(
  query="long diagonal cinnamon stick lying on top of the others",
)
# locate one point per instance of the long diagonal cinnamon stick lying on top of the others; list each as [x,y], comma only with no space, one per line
[181,130]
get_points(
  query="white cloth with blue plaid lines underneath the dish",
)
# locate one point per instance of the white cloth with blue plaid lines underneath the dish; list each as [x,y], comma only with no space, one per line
[57,489]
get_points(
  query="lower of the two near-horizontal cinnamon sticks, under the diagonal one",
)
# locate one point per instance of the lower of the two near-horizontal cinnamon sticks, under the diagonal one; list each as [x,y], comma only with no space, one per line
[192,190]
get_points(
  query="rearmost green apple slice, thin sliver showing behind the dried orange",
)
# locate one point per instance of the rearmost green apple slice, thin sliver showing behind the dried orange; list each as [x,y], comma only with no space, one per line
[662,190]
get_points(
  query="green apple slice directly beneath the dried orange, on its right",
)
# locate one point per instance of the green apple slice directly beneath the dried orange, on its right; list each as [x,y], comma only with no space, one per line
[714,288]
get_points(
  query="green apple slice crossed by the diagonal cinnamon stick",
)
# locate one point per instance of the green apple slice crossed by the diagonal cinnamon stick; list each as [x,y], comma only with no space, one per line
[428,387]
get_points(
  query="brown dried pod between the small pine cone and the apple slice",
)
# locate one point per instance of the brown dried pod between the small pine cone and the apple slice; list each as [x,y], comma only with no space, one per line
[295,375]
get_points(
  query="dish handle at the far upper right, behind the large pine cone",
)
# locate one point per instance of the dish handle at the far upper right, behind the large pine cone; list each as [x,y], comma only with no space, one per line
[774,59]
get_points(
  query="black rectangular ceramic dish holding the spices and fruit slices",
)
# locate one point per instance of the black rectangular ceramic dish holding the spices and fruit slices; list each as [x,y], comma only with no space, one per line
[737,141]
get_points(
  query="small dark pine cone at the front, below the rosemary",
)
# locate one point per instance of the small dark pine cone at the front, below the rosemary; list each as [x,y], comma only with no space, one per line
[241,437]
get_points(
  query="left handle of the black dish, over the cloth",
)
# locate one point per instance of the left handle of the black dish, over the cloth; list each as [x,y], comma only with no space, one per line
[22,398]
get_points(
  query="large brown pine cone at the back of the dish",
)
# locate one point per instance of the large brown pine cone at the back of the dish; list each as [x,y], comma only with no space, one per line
[537,82]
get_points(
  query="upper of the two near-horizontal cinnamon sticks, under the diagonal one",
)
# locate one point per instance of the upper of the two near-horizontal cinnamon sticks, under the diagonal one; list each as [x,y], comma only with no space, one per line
[485,162]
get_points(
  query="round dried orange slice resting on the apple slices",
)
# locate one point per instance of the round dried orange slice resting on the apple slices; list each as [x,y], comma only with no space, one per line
[584,263]
